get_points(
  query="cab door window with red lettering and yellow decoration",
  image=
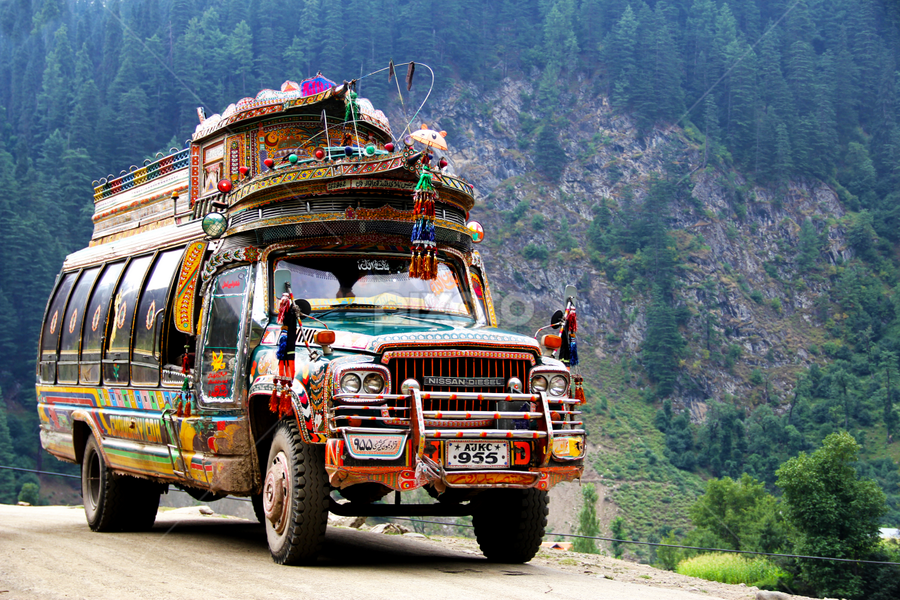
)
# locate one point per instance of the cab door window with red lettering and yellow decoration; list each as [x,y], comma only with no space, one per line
[224,329]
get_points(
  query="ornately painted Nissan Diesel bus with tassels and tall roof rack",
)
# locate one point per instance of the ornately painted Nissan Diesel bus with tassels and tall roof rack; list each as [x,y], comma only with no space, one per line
[292,309]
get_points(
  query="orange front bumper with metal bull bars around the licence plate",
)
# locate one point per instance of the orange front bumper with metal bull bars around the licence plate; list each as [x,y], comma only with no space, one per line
[404,439]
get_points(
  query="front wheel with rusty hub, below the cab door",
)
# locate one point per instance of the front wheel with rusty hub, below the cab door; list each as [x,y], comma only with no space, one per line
[295,497]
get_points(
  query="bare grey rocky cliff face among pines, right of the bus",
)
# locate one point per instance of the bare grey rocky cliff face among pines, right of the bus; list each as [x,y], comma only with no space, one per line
[738,244]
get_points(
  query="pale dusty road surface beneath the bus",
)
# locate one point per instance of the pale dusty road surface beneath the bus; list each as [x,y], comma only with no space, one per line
[49,553]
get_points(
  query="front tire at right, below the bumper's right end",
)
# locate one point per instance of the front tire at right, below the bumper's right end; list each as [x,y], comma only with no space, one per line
[509,524]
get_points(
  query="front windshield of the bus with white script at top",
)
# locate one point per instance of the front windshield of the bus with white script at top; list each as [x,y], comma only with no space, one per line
[332,282]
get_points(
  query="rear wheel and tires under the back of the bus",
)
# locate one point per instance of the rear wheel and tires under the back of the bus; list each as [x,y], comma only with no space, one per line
[115,502]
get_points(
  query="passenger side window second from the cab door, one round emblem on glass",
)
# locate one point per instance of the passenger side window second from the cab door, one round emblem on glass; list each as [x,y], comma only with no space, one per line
[122,305]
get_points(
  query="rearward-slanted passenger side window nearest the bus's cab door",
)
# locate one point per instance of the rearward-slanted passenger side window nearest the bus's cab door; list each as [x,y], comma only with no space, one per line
[150,321]
